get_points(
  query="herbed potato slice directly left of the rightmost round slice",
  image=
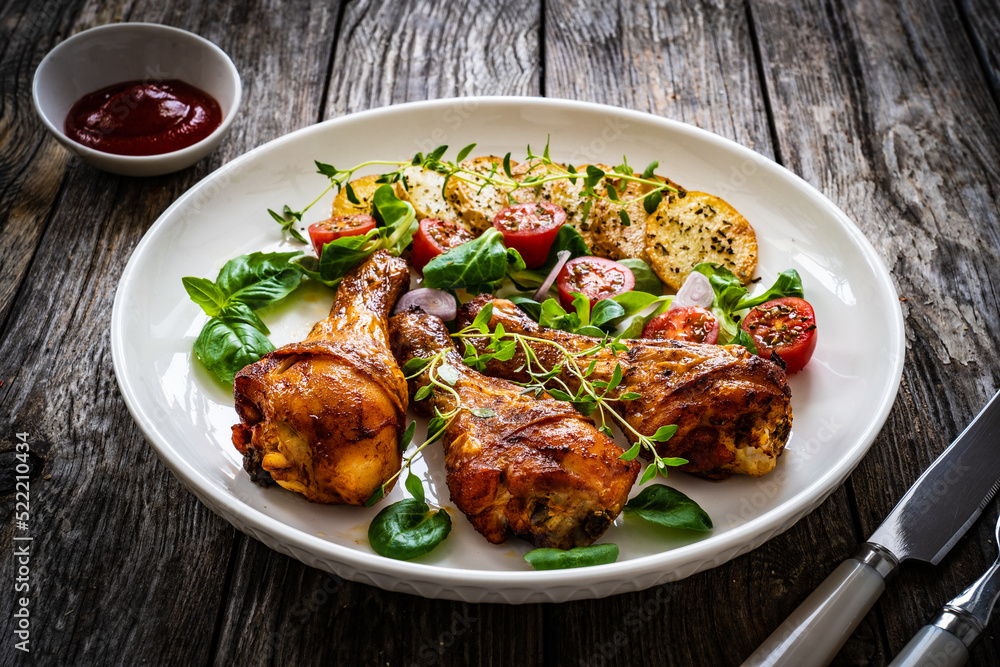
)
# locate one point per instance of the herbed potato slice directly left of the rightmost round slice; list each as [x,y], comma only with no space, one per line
[613,236]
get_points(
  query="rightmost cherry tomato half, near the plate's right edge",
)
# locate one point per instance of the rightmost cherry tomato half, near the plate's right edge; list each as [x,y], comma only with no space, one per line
[786,326]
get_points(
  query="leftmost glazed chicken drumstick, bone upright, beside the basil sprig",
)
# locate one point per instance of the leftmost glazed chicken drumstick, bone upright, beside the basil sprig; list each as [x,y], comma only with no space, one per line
[323,417]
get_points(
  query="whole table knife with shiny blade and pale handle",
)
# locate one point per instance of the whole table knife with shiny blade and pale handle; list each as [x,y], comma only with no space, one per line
[932,516]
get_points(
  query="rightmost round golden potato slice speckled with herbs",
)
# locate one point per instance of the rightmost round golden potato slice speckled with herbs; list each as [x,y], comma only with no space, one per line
[692,227]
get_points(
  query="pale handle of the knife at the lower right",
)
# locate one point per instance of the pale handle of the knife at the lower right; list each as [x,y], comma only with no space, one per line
[815,632]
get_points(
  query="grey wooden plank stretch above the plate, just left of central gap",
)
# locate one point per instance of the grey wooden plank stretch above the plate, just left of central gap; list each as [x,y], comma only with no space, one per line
[405,51]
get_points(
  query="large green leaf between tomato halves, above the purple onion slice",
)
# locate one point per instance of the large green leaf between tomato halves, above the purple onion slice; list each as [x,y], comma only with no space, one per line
[474,265]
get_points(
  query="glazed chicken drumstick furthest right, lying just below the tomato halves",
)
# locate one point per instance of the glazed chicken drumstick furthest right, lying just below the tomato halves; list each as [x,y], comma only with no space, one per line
[732,408]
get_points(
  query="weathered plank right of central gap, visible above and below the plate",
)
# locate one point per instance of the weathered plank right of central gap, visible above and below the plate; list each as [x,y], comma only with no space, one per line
[693,62]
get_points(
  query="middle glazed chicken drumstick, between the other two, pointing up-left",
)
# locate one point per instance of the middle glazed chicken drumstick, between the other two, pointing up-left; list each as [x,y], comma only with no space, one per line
[535,468]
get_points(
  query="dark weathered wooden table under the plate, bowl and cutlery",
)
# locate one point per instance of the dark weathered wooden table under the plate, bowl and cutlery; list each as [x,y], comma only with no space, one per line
[892,109]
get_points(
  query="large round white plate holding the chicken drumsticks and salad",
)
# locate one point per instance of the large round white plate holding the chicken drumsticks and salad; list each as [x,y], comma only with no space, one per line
[840,401]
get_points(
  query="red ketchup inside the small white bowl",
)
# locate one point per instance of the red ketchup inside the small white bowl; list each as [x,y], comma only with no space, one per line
[141,118]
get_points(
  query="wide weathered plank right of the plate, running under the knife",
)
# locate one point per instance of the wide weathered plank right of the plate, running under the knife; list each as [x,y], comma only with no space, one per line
[884,108]
